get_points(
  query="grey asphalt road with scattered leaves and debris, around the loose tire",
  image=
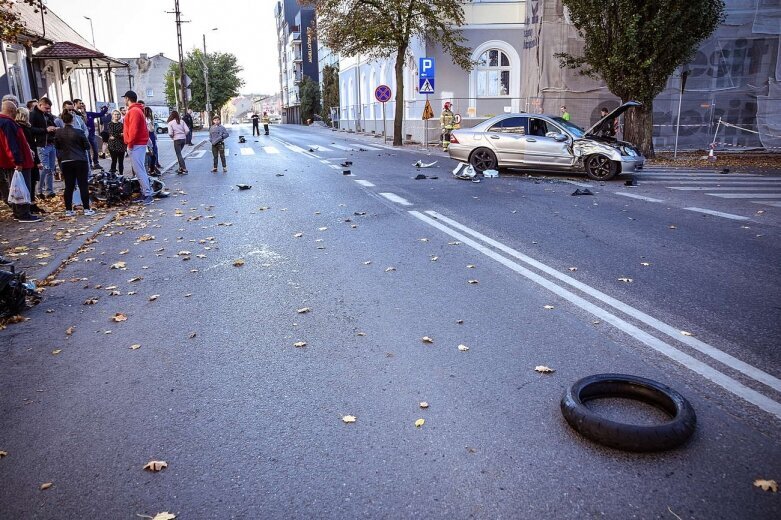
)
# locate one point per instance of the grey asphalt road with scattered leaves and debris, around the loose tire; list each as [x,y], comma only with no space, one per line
[251,425]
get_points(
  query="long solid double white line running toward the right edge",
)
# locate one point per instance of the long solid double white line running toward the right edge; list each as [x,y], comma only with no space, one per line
[697,366]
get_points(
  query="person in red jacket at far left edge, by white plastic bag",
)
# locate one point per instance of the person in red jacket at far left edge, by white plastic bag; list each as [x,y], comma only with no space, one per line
[15,157]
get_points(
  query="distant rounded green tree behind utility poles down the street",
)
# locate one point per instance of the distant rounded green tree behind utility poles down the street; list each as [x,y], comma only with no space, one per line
[224,80]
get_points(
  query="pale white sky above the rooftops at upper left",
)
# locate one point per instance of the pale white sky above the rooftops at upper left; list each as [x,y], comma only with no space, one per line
[125,29]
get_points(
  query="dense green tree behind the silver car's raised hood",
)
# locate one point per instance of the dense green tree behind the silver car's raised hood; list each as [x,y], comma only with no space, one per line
[634,47]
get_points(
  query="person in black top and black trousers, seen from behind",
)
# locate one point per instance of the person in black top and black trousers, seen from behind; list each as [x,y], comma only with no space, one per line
[72,146]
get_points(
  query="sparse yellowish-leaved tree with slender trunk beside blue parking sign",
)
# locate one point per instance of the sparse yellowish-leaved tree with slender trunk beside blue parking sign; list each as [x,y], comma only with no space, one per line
[380,28]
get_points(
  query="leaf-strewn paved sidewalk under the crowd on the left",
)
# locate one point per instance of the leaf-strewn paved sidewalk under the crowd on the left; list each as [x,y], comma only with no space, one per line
[40,248]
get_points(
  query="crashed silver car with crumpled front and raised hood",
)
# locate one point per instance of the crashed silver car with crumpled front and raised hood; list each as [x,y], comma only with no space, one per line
[540,142]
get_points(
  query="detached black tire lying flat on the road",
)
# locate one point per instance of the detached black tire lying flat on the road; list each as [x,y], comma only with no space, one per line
[629,437]
